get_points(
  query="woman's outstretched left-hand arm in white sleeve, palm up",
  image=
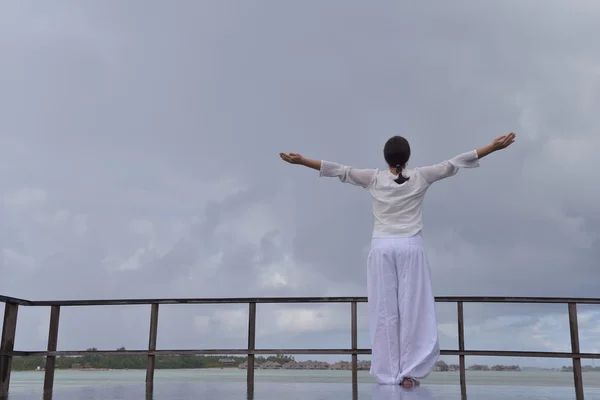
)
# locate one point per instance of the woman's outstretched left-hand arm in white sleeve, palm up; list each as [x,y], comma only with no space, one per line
[346,174]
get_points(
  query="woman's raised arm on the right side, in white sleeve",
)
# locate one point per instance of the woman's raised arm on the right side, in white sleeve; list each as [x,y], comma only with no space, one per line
[469,159]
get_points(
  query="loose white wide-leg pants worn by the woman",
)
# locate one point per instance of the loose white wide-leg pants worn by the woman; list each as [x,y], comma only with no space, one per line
[403,328]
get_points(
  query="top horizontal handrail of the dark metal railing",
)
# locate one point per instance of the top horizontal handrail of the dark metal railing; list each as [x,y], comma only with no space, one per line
[286,300]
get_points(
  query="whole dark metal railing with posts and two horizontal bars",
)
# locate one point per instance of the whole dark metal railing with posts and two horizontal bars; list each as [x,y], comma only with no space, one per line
[12,305]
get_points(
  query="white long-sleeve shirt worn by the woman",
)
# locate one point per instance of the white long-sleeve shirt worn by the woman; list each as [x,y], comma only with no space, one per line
[397,209]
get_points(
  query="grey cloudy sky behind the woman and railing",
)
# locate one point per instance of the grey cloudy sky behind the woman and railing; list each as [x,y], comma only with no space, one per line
[139,146]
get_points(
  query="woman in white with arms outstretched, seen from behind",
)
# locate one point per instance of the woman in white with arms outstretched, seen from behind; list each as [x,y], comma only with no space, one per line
[403,328]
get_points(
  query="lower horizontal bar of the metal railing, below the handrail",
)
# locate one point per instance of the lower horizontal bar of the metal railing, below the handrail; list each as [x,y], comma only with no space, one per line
[473,353]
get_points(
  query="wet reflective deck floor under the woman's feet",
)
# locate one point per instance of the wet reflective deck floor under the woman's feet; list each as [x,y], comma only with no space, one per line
[301,391]
